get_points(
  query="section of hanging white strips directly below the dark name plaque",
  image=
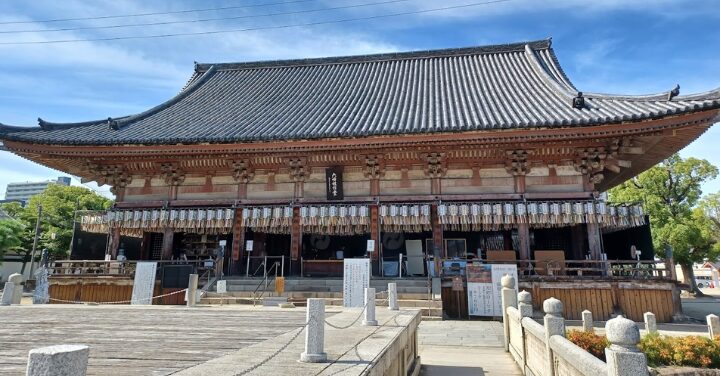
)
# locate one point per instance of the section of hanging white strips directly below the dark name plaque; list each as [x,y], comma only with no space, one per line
[335,219]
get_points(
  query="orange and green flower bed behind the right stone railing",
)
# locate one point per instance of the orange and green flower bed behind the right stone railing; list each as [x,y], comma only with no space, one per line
[689,351]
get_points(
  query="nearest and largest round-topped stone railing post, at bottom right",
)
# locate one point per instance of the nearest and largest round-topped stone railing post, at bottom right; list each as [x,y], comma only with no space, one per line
[623,356]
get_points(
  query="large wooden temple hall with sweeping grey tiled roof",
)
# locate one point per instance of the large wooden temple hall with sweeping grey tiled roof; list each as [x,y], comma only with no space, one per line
[484,153]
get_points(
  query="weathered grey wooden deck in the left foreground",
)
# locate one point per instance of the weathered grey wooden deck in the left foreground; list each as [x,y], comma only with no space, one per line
[155,340]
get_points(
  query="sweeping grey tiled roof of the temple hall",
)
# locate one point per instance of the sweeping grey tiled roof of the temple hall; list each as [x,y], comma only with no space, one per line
[513,86]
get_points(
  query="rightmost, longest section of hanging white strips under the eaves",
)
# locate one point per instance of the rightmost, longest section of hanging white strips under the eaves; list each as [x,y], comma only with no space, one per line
[505,215]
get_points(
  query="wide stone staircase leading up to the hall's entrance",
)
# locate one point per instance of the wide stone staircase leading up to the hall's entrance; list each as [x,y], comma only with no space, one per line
[411,293]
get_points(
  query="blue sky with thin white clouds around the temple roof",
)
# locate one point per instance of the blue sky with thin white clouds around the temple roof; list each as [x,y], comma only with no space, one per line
[613,46]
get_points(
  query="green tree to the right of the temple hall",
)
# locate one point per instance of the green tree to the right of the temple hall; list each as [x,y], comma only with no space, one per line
[670,192]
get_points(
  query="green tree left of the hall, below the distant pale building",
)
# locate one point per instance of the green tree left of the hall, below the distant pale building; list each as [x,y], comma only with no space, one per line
[59,204]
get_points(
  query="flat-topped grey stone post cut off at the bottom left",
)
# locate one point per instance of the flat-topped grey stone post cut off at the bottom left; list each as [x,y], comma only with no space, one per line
[58,360]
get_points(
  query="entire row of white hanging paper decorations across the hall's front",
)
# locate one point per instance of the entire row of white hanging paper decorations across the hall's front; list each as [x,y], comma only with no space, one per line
[340,219]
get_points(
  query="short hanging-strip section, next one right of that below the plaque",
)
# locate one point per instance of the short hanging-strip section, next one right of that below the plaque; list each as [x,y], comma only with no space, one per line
[405,218]
